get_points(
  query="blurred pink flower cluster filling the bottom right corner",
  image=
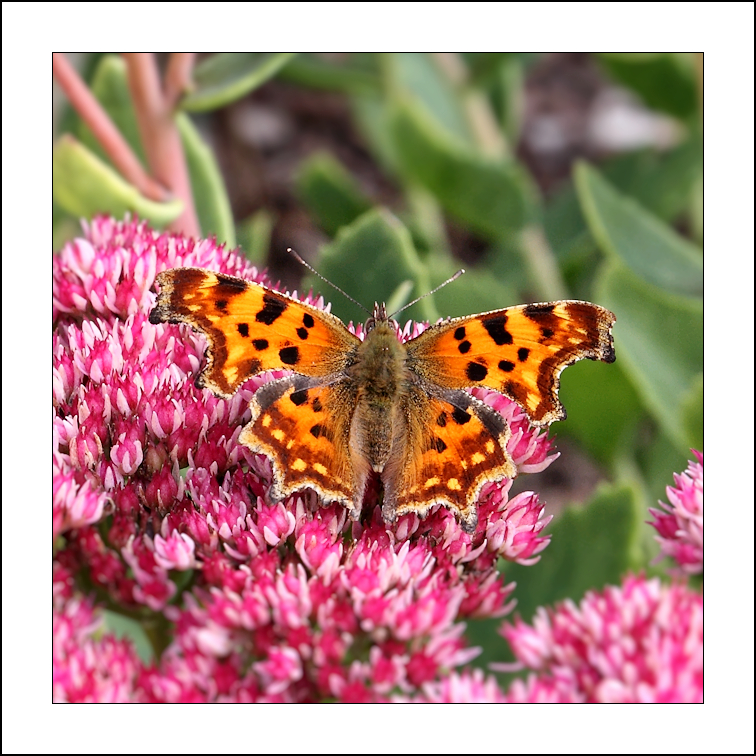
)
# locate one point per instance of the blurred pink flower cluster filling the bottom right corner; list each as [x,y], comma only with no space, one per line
[638,642]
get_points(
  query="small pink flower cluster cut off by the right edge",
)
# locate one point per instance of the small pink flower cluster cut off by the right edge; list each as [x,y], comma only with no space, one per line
[680,523]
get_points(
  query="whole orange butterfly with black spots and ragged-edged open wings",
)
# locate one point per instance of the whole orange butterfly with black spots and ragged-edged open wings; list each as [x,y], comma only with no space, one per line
[352,408]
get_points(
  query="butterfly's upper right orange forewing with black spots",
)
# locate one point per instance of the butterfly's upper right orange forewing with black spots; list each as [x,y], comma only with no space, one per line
[518,351]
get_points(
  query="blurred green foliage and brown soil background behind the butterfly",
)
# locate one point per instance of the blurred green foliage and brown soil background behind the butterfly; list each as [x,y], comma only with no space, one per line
[547,176]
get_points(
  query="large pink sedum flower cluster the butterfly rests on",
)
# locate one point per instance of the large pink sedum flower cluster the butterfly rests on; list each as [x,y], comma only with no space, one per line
[158,508]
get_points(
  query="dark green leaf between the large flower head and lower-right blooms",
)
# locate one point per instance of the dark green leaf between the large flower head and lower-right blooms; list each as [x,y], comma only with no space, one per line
[591,546]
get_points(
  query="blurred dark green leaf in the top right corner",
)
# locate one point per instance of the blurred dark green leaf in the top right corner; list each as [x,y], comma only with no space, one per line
[664,81]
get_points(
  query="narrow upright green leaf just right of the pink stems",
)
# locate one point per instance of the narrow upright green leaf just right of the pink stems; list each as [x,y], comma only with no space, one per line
[211,201]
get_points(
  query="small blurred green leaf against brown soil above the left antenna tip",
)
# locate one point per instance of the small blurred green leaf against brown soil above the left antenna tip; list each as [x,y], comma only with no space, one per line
[329,192]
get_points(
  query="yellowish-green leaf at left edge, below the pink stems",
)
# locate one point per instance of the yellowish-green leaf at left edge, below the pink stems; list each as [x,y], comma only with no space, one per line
[84,185]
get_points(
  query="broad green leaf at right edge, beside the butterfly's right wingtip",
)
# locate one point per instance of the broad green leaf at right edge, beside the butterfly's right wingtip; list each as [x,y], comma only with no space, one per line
[659,344]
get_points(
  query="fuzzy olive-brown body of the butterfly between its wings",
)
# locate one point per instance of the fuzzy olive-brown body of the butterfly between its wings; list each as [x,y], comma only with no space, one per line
[380,378]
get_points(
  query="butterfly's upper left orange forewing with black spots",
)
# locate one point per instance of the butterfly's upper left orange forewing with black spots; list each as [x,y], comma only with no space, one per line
[250,328]
